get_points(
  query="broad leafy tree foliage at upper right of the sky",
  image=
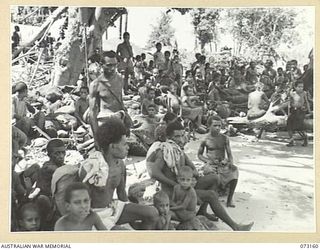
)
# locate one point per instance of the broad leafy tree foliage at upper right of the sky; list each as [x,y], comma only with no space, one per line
[261,30]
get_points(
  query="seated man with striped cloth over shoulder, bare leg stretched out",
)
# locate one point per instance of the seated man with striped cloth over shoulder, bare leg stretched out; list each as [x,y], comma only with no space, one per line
[163,159]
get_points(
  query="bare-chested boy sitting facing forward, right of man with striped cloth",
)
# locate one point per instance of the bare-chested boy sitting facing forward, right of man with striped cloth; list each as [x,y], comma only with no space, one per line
[216,144]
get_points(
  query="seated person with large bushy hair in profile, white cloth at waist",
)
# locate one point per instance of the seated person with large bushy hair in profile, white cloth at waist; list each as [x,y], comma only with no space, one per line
[111,138]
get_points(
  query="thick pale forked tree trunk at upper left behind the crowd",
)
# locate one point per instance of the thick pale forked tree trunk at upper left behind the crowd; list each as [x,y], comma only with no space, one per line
[92,20]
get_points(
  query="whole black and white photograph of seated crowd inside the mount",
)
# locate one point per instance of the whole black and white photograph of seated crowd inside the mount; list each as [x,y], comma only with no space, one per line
[162,119]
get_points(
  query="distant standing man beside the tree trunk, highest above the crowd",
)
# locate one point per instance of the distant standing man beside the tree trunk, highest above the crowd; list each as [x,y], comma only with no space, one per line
[125,55]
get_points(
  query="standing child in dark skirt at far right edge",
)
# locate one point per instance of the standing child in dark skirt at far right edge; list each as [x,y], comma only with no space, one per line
[299,105]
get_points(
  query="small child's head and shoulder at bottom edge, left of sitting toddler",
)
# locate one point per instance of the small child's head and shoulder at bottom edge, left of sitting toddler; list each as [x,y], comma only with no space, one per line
[162,203]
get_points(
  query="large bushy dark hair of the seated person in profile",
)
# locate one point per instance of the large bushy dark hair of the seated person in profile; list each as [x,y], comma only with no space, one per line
[110,131]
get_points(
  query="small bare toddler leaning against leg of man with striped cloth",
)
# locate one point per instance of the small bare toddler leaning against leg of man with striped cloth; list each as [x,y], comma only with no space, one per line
[184,197]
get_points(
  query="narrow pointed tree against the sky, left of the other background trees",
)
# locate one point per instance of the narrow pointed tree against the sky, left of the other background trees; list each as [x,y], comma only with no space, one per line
[162,32]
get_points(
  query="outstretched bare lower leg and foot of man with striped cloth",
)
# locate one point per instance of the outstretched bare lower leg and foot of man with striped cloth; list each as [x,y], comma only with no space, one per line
[212,198]
